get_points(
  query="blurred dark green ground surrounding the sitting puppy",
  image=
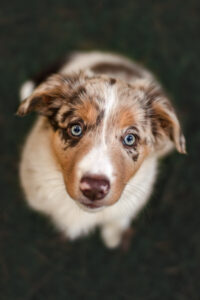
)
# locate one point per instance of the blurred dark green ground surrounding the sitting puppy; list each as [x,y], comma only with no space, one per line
[164,258]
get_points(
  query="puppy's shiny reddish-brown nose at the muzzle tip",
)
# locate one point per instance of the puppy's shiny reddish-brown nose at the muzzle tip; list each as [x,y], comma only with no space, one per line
[94,187]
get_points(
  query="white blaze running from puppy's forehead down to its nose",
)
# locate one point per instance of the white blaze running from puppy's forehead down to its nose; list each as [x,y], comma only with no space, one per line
[97,160]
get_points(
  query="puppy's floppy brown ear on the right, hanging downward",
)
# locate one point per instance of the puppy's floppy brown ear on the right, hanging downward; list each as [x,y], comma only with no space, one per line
[165,124]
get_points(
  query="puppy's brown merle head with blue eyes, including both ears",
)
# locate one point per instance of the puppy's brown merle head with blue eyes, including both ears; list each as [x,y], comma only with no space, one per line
[102,129]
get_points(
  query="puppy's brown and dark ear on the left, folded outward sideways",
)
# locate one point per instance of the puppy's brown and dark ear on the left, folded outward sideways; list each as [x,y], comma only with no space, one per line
[46,97]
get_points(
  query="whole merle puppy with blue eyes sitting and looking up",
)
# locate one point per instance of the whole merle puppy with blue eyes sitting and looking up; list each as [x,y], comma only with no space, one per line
[91,157]
